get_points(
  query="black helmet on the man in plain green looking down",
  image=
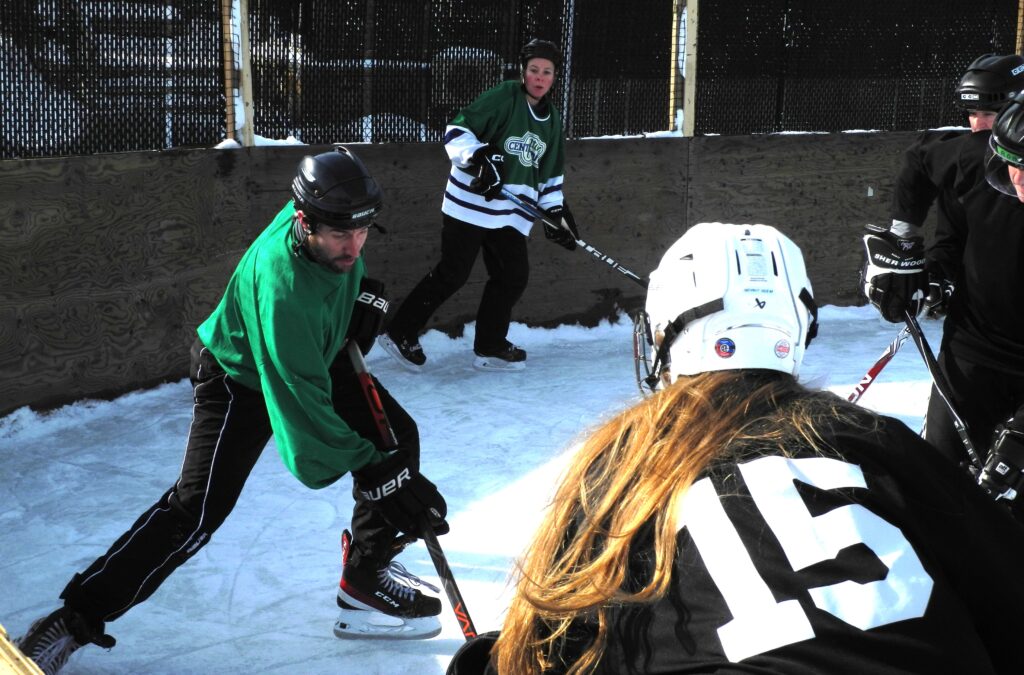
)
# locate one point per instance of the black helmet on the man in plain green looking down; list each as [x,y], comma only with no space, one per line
[334,189]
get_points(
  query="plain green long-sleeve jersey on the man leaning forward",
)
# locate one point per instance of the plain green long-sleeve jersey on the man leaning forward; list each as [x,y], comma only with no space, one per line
[281,323]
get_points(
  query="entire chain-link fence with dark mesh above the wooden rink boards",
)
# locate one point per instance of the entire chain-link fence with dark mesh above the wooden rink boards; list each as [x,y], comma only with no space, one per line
[81,77]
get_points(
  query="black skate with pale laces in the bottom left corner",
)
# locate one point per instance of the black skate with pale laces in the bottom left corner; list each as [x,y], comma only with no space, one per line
[52,641]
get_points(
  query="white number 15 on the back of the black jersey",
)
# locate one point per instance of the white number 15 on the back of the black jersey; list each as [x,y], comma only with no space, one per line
[759,623]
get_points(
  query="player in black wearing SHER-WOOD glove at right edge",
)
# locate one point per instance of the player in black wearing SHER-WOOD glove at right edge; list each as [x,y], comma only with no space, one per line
[976,251]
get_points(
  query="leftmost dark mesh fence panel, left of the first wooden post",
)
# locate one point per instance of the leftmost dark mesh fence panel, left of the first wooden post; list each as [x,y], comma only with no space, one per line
[79,78]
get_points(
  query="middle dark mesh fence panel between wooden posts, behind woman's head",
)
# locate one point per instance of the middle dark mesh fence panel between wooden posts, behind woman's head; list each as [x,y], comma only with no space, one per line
[363,70]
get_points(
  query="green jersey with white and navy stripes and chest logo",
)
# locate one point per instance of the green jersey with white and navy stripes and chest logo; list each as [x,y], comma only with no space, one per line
[534,147]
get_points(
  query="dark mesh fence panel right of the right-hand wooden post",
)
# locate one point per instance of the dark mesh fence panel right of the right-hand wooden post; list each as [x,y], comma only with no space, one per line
[812,66]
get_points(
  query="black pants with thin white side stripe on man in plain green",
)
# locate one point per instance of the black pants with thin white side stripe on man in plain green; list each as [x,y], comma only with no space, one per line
[229,432]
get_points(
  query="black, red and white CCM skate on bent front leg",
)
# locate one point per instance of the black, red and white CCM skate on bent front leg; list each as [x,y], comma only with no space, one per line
[383,604]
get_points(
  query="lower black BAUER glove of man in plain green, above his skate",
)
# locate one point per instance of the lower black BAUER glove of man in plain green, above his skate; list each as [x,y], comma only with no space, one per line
[402,494]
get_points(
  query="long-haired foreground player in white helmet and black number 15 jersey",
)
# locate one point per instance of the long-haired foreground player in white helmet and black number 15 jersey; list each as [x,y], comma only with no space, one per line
[736,522]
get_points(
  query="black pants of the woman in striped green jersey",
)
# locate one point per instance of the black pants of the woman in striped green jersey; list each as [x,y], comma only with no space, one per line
[507,263]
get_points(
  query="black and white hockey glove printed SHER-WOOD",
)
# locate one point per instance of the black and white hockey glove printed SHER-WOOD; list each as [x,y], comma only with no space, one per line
[893,277]
